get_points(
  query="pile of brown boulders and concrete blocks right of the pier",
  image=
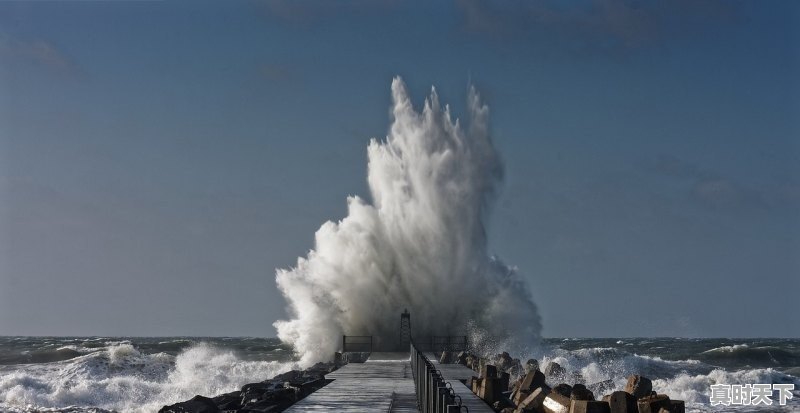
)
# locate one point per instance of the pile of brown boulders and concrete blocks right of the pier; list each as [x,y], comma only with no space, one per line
[530,392]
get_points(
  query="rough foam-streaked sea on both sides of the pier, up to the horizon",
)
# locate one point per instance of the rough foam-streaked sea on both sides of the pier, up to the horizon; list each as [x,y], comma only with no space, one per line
[141,374]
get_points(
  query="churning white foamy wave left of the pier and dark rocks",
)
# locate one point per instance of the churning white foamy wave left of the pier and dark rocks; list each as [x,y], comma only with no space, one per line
[120,378]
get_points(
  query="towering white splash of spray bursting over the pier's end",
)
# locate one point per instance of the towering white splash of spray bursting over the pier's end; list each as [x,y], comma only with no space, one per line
[420,244]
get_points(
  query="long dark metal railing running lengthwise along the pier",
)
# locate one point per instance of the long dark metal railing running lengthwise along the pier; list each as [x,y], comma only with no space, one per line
[434,394]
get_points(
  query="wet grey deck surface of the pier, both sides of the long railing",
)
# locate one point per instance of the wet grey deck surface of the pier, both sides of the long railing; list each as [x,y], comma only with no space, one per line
[383,384]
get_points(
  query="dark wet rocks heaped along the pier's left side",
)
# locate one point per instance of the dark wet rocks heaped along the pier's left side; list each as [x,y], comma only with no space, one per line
[273,395]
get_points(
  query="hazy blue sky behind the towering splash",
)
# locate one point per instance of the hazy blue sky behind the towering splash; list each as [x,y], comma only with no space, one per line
[159,160]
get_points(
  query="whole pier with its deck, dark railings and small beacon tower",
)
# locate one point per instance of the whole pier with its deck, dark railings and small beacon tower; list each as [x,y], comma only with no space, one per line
[400,381]
